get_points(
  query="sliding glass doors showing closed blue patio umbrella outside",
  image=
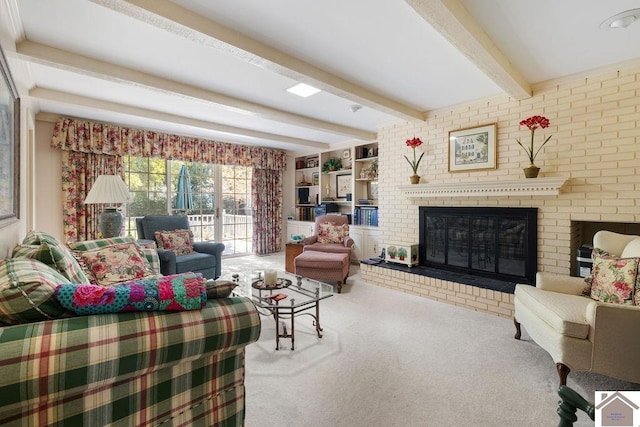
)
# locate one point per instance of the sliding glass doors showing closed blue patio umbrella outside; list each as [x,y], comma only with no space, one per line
[217,199]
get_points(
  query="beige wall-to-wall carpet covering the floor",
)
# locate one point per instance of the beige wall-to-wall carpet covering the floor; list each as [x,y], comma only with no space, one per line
[392,359]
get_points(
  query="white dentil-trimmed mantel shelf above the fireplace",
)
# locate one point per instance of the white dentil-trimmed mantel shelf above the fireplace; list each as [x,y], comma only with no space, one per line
[516,187]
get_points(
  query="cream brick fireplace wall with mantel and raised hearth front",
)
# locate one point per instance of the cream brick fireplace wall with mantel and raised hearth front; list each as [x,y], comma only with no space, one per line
[593,154]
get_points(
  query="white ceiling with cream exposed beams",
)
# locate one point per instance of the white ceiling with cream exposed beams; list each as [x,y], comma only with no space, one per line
[219,69]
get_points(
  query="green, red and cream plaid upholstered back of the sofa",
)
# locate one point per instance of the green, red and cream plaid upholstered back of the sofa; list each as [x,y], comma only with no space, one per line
[129,368]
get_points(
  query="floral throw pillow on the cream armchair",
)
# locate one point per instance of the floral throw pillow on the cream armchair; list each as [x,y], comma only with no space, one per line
[614,280]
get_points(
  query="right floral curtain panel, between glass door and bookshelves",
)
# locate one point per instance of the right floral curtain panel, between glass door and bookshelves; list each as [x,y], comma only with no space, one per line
[267,211]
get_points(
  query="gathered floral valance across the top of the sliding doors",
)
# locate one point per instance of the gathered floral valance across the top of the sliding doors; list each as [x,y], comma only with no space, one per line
[99,138]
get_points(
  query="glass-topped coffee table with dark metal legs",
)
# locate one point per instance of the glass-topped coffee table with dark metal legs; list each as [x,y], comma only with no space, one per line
[291,296]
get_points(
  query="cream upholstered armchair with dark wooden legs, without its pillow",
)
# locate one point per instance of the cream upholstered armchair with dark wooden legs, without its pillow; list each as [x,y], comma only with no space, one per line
[579,333]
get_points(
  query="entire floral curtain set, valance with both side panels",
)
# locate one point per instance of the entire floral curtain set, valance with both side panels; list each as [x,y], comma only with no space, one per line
[111,141]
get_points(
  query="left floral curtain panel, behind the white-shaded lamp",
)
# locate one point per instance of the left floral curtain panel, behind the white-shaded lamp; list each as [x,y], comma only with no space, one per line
[79,172]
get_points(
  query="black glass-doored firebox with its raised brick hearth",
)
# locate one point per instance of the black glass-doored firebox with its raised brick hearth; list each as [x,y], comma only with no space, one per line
[469,256]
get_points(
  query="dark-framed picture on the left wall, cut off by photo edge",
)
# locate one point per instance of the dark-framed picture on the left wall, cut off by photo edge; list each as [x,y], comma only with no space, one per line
[9,146]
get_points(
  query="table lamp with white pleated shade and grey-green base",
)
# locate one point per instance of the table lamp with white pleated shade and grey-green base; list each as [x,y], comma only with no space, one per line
[109,189]
